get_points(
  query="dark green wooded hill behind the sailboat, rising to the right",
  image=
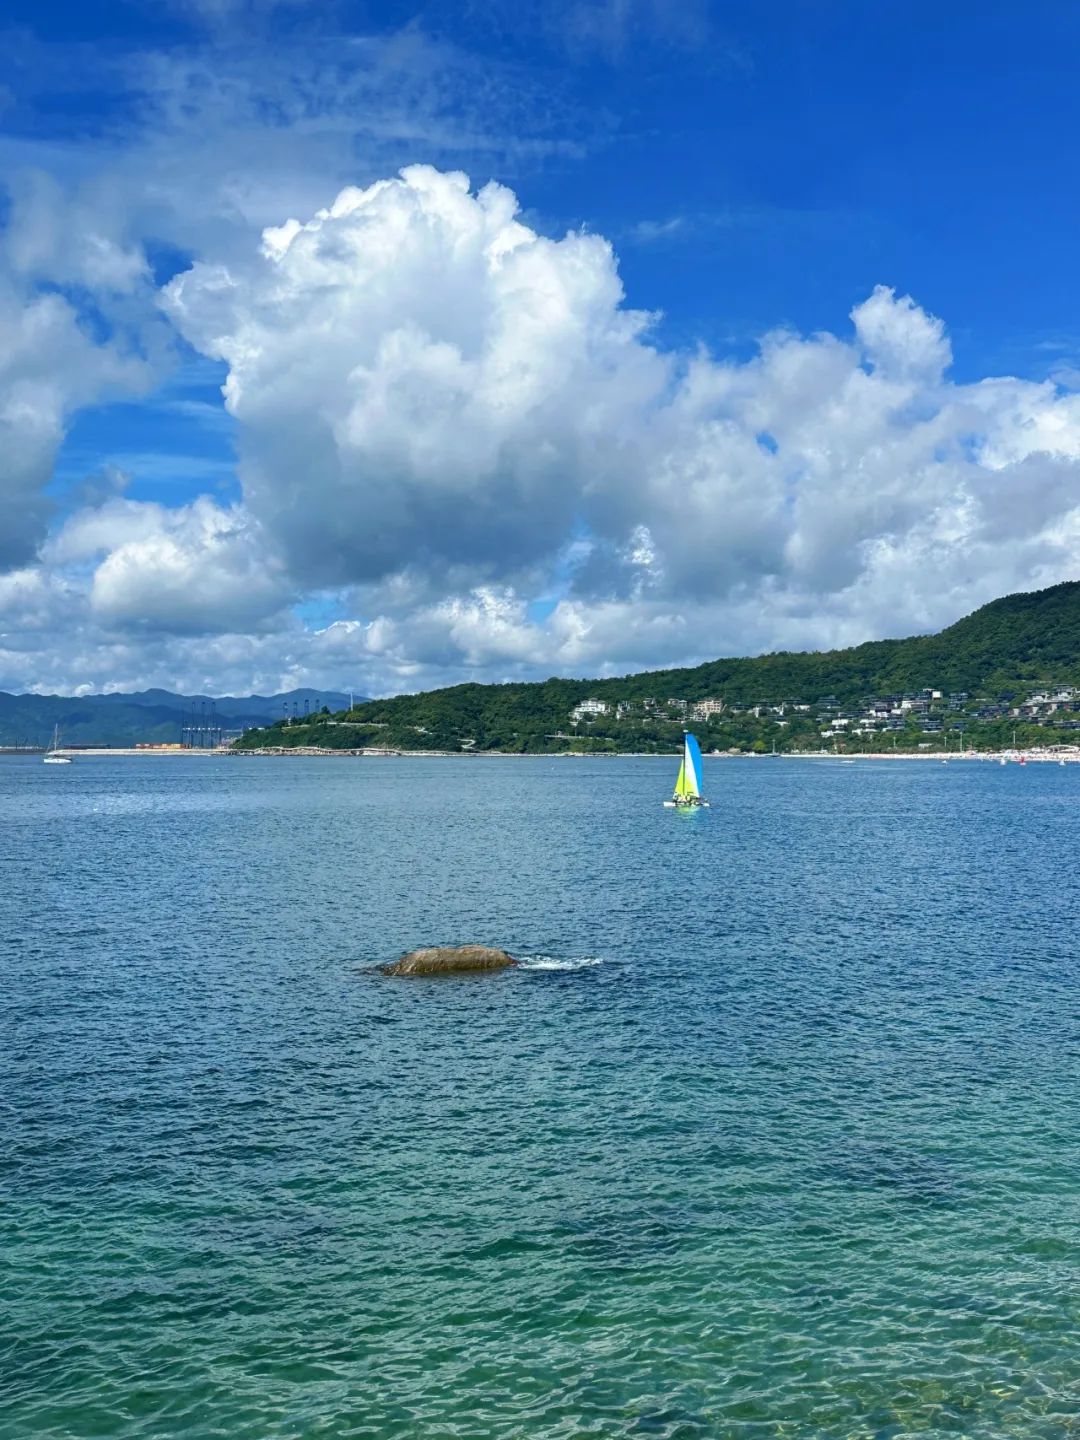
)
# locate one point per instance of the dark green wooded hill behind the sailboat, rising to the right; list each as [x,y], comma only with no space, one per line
[1000,653]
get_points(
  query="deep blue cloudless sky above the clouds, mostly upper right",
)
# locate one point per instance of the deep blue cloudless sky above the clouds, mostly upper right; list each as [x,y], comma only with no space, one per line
[784,159]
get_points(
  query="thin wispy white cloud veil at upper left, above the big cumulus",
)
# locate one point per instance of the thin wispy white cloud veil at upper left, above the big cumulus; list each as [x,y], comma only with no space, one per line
[222,138]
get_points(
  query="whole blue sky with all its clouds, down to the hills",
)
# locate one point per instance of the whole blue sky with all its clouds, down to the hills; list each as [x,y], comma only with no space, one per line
[384,346]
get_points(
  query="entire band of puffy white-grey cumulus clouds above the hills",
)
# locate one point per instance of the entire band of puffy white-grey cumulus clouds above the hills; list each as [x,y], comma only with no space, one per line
[444,415]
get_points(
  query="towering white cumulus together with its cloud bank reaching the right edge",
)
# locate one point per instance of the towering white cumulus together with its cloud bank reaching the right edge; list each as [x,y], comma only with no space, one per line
[426,385]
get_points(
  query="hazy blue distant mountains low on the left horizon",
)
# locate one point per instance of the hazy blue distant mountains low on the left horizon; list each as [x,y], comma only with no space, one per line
[149,716]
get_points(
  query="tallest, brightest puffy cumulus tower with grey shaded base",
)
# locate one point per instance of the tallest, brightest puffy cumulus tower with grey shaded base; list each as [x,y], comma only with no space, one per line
[420,379]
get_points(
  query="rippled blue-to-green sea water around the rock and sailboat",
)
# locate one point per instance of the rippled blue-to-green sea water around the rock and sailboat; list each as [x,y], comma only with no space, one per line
[794,1156]
